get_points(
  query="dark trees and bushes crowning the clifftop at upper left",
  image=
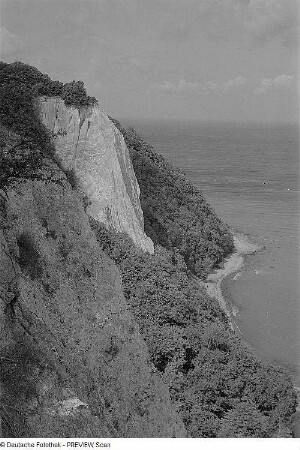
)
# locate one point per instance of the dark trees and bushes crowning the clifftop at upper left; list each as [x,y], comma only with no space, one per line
[24,140]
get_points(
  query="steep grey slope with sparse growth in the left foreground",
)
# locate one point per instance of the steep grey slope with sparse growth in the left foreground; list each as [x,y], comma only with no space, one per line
[72,359]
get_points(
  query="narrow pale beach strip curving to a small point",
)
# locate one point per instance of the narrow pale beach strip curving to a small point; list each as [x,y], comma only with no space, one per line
[232,264]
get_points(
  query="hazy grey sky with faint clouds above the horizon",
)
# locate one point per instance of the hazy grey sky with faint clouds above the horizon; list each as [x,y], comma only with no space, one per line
[199,59]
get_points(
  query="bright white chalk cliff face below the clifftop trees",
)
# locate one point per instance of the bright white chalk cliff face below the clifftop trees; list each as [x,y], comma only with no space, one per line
[89,143]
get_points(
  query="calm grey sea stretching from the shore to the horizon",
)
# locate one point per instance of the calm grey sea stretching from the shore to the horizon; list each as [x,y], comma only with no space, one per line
[250,175]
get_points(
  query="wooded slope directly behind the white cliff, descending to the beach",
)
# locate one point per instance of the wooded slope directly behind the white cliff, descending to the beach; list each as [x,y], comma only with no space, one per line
[175,212]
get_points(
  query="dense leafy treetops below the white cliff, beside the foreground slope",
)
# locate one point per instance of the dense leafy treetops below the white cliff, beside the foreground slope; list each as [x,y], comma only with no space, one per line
[217,385]
